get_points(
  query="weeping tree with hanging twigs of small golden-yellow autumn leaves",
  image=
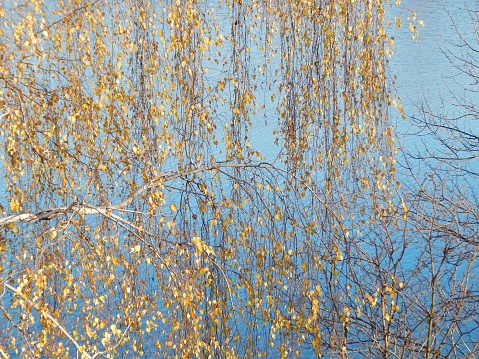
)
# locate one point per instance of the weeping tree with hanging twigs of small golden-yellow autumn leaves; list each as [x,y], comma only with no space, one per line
[141,219]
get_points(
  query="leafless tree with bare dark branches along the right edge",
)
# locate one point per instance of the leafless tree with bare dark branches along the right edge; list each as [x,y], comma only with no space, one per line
[442,196]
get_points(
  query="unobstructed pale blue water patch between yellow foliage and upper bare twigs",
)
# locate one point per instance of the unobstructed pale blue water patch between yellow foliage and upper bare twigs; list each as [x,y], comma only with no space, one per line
[424,72]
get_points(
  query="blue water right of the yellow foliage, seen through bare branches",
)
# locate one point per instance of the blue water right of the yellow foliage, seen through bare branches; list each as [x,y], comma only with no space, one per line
[429,77]
